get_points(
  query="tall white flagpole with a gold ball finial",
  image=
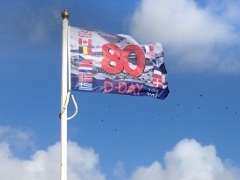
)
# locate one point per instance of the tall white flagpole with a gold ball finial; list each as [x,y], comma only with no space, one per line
[64,95]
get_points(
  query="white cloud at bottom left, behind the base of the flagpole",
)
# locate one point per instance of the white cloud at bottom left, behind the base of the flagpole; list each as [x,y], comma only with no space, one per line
[82,164]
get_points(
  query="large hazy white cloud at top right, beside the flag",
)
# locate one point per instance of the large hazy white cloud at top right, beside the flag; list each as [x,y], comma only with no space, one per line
[196,36]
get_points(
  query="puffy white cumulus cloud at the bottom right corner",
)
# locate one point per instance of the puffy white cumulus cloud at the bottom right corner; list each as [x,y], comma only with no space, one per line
[189,160]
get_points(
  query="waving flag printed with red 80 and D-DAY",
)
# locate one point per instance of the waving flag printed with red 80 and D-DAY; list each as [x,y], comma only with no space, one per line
[116,64]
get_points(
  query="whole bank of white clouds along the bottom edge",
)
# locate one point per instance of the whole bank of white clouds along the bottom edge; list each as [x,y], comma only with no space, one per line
[186,161]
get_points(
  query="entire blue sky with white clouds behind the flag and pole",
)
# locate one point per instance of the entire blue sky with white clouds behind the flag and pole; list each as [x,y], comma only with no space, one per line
[192,134]
